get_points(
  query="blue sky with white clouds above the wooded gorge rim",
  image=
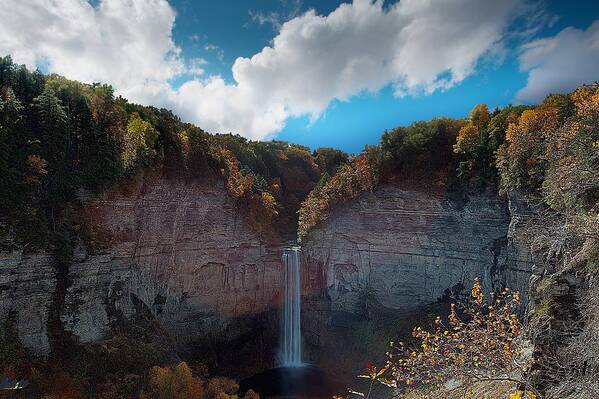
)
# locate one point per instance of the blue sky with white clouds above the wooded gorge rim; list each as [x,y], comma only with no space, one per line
[320,73]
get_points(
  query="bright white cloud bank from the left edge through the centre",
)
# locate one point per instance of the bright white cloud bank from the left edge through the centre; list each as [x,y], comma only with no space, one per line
[417,46]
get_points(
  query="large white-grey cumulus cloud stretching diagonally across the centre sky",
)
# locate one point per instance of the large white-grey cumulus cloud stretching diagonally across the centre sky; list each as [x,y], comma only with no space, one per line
[419,46]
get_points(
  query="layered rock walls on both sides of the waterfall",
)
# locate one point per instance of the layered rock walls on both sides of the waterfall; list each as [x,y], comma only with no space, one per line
[181,256]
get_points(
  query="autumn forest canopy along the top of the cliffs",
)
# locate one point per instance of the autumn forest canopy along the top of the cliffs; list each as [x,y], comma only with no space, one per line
[59,137]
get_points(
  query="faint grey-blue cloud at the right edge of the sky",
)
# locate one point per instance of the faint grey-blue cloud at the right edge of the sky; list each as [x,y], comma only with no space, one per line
[560,63]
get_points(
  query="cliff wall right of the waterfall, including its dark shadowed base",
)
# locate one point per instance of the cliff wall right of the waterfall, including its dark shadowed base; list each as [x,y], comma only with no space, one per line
[385,258]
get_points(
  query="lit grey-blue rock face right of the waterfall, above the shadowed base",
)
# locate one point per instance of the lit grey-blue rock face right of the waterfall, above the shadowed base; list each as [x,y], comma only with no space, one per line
[405,249]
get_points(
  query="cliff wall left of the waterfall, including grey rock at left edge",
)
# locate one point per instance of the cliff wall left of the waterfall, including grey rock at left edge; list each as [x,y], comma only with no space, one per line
[179,253]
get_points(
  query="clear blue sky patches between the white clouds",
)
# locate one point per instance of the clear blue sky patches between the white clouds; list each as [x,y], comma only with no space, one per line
[352,124]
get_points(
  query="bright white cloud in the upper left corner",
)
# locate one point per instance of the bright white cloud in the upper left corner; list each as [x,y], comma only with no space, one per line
[126,43]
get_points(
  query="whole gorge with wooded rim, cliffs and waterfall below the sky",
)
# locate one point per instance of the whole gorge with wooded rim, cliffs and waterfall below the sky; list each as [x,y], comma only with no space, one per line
[134,246]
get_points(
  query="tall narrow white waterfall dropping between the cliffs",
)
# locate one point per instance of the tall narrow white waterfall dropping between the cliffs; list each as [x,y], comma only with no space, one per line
[291,332]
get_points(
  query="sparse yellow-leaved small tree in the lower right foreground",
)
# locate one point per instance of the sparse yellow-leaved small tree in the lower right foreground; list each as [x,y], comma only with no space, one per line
[479,342]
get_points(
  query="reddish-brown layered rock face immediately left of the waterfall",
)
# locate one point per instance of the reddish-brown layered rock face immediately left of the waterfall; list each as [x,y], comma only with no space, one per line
[183,251]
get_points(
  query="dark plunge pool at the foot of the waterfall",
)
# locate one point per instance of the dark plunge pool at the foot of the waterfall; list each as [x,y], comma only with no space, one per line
[292,382]
